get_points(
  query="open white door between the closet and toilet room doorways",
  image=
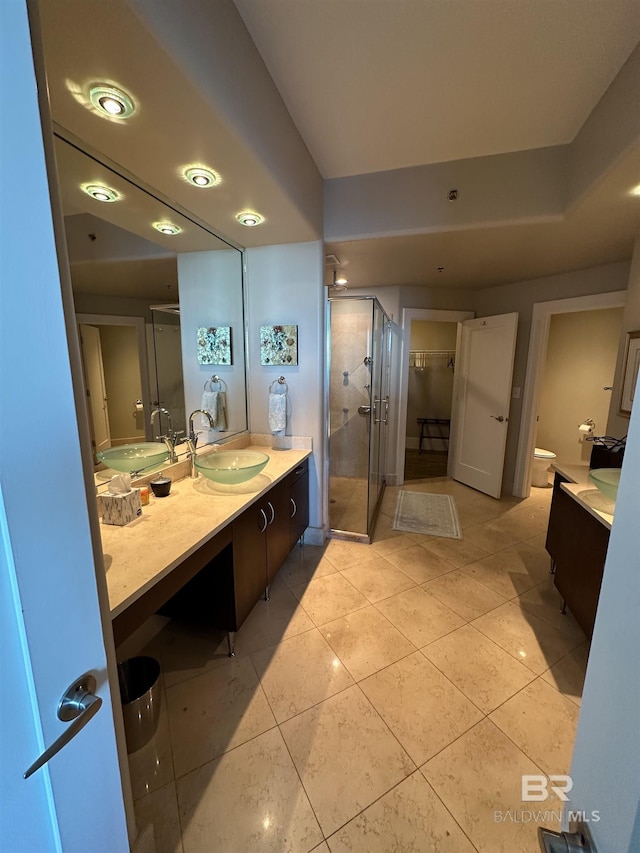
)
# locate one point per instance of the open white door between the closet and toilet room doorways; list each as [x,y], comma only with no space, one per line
[481,396]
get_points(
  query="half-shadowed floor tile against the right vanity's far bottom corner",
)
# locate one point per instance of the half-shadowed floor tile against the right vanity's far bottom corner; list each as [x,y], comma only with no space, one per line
[512,571]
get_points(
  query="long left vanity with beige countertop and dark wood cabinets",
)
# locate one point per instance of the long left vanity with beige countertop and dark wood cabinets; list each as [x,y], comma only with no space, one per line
[207,551]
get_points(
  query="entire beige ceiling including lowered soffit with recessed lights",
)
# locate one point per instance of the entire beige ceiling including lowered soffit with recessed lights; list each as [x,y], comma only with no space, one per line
[364,87]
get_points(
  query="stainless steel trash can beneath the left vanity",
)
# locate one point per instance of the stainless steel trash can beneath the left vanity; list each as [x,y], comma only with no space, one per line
[140,693]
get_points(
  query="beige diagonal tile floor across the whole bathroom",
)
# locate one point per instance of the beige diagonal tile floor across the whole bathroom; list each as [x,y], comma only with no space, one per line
[388,697]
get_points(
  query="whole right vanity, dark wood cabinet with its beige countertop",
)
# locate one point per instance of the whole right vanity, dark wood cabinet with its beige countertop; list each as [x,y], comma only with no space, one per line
[577,541]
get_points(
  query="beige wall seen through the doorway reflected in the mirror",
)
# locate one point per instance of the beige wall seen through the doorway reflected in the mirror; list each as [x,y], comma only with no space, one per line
[122,379]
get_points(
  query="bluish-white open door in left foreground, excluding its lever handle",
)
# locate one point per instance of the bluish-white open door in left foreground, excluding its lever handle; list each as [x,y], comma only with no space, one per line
[53,630]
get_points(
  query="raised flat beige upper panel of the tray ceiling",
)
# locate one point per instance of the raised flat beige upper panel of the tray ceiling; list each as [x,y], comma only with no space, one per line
[374,85]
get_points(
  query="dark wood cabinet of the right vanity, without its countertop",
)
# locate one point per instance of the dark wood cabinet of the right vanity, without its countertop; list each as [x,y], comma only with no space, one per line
[577,543]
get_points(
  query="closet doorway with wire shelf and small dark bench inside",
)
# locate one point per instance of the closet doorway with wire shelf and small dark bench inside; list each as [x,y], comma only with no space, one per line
[426,384]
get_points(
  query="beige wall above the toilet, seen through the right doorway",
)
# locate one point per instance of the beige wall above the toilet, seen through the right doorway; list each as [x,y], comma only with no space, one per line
[581,357]
